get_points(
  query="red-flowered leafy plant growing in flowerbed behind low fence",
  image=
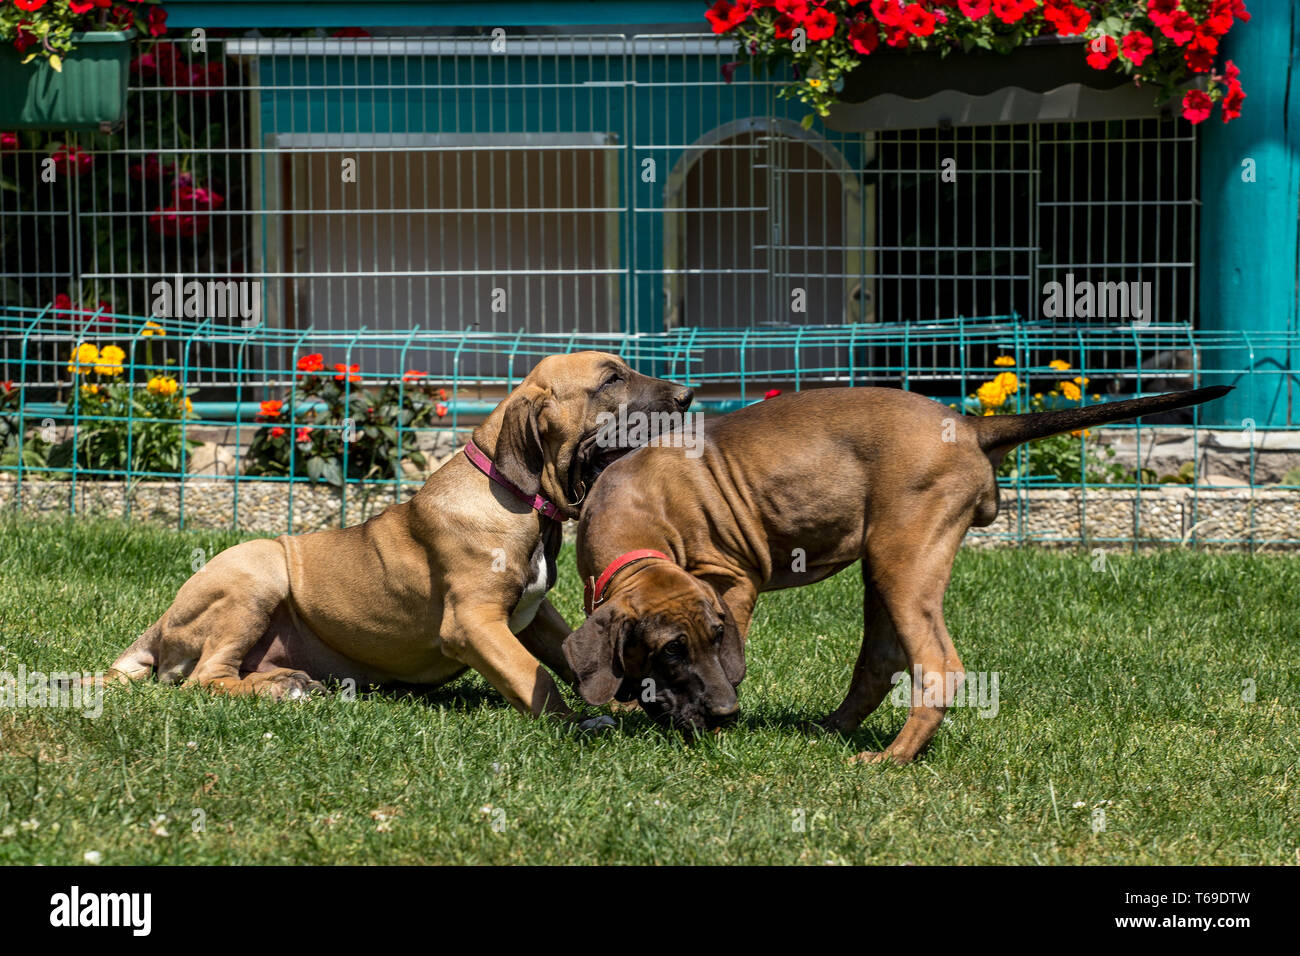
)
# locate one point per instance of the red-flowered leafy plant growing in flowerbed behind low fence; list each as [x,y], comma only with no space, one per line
[306,434]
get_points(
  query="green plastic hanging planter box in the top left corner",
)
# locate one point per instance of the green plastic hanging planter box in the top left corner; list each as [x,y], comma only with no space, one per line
[89,94]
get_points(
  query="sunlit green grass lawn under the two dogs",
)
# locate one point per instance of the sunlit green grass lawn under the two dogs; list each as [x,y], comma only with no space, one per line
[1120,690]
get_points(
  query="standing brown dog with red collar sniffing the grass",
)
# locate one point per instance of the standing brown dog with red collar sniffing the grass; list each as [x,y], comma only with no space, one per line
[788,492]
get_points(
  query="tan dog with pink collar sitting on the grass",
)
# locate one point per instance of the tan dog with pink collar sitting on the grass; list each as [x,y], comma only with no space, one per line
[454,578]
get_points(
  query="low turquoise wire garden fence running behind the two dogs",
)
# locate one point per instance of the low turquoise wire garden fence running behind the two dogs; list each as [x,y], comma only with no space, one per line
[80,419]
